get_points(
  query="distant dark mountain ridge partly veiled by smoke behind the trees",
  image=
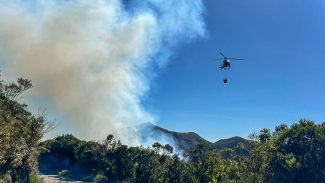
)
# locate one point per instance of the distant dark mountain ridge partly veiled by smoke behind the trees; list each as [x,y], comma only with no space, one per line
[186,141]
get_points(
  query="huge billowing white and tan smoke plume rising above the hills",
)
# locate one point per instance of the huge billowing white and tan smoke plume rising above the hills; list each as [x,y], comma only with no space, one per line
[93,60]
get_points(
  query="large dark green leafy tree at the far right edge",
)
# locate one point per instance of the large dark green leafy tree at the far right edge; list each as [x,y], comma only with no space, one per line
[303,146]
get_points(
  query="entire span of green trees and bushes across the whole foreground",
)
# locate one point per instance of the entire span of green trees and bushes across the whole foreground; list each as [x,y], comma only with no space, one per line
[293,153]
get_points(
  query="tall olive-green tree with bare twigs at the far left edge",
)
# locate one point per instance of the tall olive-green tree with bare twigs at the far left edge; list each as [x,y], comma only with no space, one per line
[20,134]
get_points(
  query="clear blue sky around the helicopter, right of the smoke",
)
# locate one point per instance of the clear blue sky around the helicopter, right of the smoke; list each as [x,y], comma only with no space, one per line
[281,80]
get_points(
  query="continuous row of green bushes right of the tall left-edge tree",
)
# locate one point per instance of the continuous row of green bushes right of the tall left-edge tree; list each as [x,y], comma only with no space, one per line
[289,154]
